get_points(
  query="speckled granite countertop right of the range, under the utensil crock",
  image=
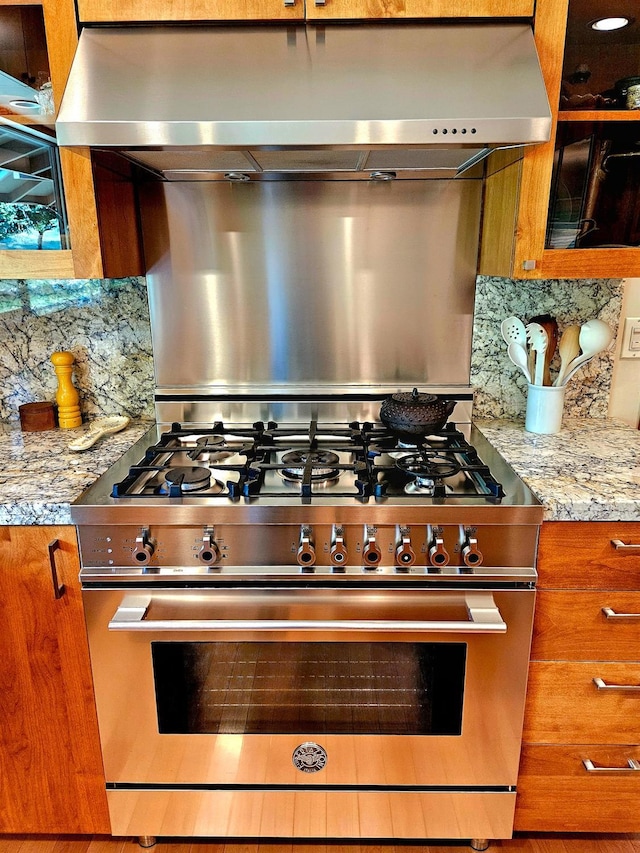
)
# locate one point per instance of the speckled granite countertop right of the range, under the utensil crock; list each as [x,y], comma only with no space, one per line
[589,471]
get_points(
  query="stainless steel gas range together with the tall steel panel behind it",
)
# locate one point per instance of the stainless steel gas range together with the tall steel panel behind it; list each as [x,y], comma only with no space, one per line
[302,624]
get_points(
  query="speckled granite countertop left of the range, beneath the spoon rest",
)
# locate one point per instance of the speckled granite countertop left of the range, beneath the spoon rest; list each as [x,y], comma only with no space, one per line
[40,476]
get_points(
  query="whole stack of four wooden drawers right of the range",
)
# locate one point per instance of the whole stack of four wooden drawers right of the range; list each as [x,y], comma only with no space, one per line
[580,765]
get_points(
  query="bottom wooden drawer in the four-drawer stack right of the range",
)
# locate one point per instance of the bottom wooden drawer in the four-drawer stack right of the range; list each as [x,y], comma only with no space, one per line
[557,794]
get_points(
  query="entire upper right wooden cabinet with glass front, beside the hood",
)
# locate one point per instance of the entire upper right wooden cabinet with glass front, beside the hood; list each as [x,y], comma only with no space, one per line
[585,170]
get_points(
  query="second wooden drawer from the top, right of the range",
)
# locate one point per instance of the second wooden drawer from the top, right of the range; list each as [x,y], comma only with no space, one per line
[574,626]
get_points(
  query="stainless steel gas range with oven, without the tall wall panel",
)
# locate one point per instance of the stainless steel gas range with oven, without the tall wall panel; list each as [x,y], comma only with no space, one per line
[310,631]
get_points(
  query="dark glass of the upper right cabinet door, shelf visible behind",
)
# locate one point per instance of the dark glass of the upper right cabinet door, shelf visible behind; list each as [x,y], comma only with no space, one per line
[595,190]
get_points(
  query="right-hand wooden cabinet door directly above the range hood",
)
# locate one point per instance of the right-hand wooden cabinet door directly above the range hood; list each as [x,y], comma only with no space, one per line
[418,8]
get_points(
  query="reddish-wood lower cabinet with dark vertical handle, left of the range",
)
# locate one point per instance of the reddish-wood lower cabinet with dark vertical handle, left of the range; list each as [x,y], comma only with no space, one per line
[50,764]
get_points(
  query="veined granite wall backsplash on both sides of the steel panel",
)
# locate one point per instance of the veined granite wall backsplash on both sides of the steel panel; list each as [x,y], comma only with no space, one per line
[105,324]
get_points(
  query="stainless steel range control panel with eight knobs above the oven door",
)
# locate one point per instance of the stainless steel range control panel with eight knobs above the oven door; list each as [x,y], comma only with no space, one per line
[306,548]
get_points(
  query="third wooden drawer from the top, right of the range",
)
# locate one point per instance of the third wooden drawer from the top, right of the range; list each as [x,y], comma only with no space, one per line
[564,705]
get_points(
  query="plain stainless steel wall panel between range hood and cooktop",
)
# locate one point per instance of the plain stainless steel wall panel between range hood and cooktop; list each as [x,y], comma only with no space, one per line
[310,286]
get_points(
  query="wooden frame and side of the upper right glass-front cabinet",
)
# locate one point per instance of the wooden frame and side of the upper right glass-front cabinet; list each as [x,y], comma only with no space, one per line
[517,240]
